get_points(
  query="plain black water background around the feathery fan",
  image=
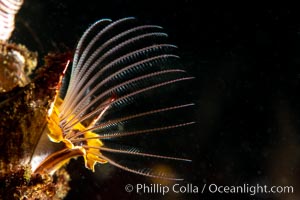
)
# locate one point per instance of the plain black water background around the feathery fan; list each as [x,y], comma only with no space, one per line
[247,67]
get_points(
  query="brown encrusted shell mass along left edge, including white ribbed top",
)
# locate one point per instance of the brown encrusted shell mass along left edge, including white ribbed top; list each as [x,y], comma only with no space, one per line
[24,104]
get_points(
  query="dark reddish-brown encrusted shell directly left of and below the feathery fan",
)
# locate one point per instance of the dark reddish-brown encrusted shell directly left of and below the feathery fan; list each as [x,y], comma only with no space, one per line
[23,117]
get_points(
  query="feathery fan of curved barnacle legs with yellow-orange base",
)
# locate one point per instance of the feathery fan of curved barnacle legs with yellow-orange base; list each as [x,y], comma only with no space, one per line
[116,66]
